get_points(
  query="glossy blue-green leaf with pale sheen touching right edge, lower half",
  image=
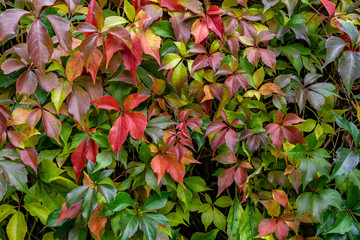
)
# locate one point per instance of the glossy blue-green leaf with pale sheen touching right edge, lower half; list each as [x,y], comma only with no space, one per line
[345,163]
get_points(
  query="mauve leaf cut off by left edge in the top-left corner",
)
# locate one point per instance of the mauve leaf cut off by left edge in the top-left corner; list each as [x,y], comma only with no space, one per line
[9,20]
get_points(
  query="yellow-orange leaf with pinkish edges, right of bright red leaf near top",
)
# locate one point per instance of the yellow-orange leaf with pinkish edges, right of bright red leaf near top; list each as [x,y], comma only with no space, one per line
[150,43]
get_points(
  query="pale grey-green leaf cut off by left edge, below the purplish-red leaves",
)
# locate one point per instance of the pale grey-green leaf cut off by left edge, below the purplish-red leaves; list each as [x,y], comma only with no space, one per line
[15,174]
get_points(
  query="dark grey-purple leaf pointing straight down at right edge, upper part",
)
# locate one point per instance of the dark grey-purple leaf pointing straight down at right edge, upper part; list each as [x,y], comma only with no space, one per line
[348,68]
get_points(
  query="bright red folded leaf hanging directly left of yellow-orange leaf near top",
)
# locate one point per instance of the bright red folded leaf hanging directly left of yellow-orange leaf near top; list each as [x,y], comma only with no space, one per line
[132,59]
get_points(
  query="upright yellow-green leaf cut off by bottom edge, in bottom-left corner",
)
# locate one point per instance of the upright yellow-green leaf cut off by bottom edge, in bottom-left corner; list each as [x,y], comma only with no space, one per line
[16,228]
